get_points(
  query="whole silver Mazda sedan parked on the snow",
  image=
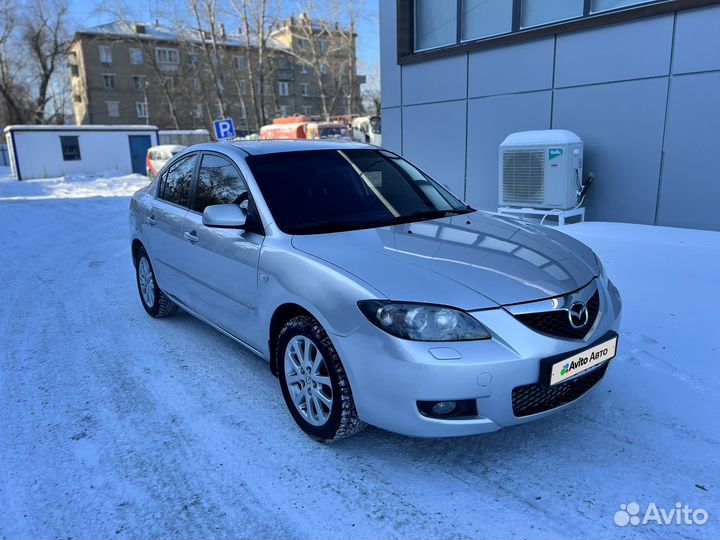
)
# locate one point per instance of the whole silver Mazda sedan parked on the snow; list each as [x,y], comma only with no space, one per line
[376,295]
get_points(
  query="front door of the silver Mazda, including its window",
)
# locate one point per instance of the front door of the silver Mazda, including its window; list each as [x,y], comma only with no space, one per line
[222,264]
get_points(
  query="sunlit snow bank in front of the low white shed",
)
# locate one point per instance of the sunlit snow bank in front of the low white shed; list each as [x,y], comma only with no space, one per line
[105,184]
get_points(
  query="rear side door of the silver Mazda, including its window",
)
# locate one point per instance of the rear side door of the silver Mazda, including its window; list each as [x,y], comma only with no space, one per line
[164,225]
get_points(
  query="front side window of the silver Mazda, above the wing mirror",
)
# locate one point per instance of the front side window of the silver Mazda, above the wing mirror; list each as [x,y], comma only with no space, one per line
[218,183]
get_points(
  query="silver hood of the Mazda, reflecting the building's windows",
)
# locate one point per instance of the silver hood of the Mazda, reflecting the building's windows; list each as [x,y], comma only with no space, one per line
[473,261]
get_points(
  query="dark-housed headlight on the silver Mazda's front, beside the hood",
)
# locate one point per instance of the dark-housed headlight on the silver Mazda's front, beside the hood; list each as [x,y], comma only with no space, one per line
[422,322]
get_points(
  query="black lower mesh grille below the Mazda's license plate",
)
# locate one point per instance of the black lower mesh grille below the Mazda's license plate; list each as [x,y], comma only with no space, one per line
[537,398]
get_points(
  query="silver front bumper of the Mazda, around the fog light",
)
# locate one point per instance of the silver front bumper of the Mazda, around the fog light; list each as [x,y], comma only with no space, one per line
[389,376]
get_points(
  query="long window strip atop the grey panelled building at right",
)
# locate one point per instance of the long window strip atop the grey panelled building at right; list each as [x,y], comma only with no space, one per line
[435,22]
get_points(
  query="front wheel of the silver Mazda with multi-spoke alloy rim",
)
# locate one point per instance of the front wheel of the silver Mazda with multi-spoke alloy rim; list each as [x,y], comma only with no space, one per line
[313,381]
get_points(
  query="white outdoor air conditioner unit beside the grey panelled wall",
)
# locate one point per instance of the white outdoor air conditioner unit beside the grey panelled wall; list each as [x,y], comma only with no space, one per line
[541,169]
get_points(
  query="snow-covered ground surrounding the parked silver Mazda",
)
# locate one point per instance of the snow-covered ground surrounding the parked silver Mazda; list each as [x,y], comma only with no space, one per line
[113,424]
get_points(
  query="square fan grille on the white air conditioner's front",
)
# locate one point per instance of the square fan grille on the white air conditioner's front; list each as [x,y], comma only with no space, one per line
[524,176]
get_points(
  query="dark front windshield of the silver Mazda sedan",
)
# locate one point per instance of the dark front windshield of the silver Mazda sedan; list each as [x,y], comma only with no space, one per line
[320,191]
